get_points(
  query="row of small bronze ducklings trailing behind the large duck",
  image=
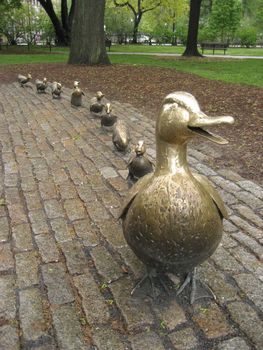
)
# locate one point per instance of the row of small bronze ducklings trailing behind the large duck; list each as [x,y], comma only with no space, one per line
[138,164]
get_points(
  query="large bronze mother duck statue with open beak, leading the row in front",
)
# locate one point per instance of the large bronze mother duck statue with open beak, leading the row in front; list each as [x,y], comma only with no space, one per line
[172,219]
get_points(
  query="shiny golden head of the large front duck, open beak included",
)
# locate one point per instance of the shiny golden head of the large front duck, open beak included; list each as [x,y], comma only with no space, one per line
[181,119]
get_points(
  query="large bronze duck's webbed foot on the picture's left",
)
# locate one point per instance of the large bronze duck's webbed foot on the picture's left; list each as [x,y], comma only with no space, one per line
[156,279]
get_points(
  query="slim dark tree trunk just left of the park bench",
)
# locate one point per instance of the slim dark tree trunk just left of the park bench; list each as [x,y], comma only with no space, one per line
[191,44]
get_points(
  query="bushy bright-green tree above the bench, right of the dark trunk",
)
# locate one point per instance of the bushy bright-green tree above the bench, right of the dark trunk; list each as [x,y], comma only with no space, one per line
[225,18]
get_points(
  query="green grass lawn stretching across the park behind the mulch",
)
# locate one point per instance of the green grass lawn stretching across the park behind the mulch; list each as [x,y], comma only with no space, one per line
[241,71]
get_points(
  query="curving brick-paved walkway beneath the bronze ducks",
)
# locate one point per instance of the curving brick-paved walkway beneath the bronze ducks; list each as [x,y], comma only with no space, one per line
[65,269]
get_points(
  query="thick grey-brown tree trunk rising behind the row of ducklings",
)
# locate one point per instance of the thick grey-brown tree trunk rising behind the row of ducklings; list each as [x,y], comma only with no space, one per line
[87,34]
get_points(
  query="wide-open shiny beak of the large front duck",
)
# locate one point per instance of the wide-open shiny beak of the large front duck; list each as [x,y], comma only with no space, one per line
[200,120]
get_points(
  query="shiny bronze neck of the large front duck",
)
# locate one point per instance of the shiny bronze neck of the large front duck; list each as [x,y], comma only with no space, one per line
[171,158]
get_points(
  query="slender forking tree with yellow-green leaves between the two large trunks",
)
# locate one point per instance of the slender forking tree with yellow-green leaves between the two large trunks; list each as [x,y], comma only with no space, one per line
[138,8]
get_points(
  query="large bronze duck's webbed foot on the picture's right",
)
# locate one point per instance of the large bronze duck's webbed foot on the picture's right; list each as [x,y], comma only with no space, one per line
[194,294]
